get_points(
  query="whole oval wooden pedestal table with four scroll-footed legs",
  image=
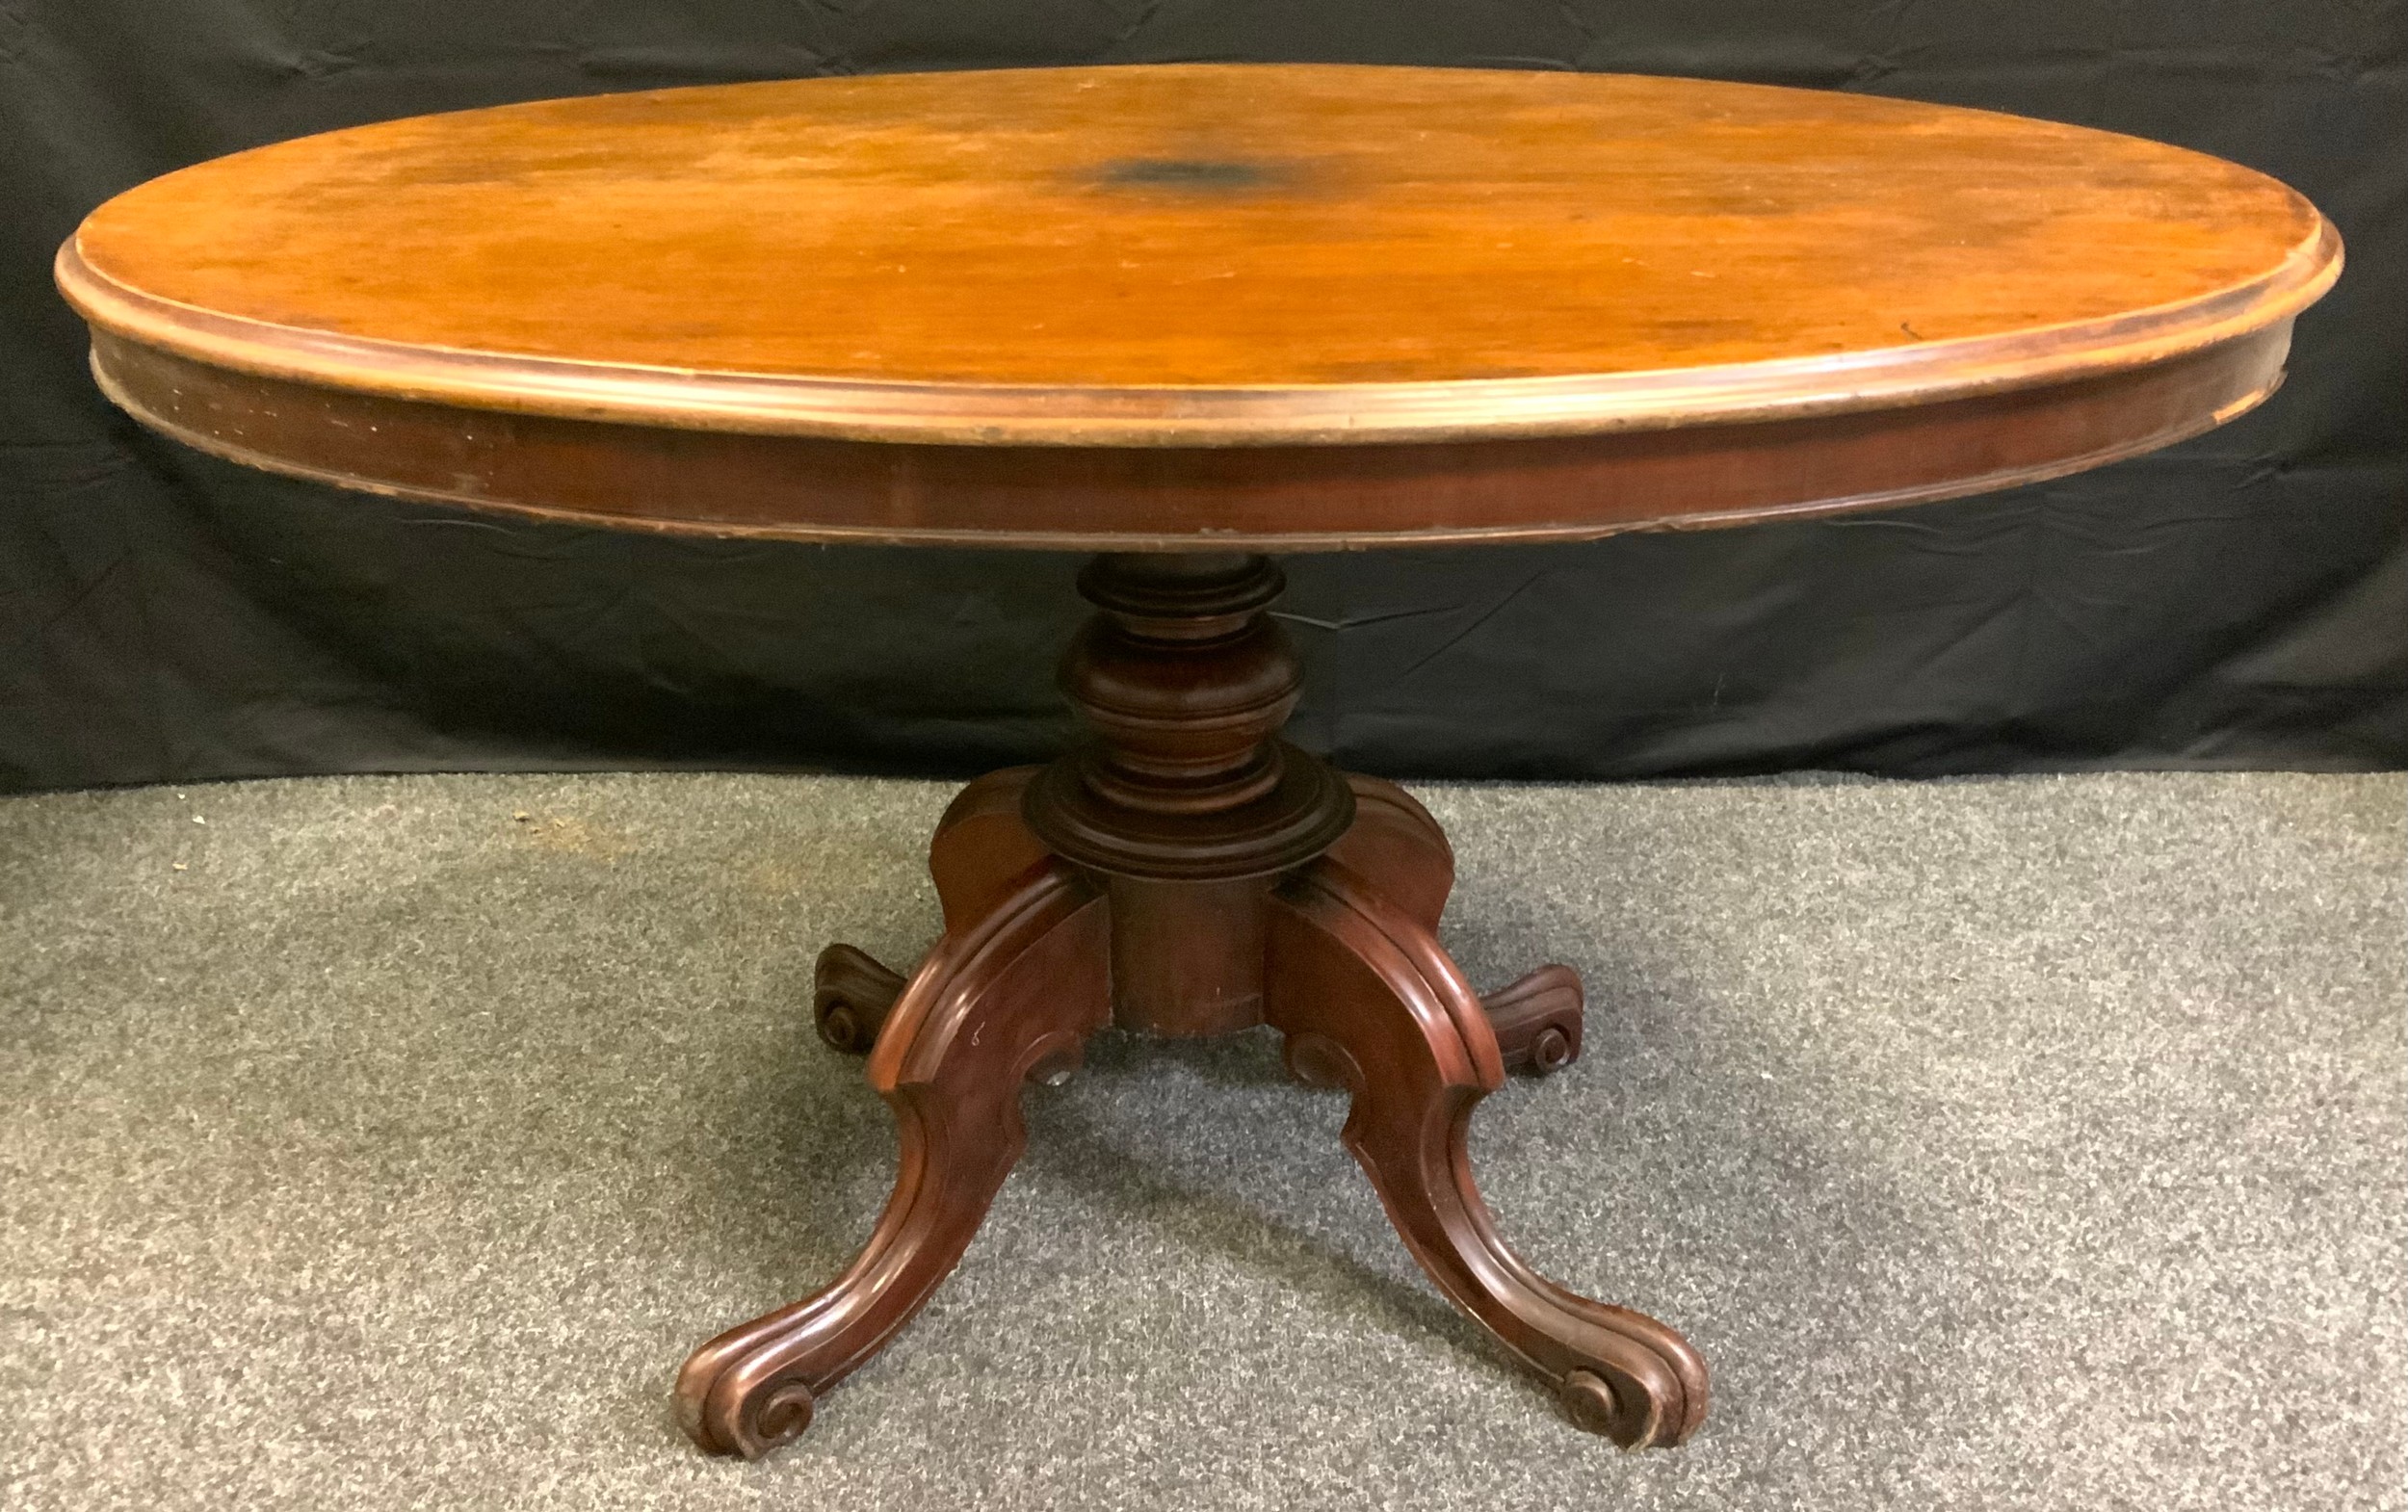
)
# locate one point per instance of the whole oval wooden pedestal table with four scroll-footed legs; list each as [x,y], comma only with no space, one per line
[1188,319]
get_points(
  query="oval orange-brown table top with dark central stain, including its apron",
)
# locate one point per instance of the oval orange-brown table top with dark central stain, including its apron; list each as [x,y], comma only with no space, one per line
[1181,259]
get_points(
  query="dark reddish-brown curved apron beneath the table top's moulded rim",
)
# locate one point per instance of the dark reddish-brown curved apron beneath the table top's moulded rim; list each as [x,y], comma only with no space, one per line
[1188,500]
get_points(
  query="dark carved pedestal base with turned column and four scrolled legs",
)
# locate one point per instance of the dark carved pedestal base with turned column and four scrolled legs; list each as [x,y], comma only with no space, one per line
[1191,875]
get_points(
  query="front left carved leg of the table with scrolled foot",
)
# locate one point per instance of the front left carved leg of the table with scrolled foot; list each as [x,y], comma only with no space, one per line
[1008,996]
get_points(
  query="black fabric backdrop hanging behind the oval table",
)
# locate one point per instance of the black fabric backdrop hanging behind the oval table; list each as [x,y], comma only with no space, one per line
[2241,601]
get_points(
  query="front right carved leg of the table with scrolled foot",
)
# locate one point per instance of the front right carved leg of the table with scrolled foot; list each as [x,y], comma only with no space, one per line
[1371,1005]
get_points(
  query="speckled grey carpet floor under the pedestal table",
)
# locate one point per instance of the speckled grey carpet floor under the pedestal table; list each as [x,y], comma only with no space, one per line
[2002,1145]
